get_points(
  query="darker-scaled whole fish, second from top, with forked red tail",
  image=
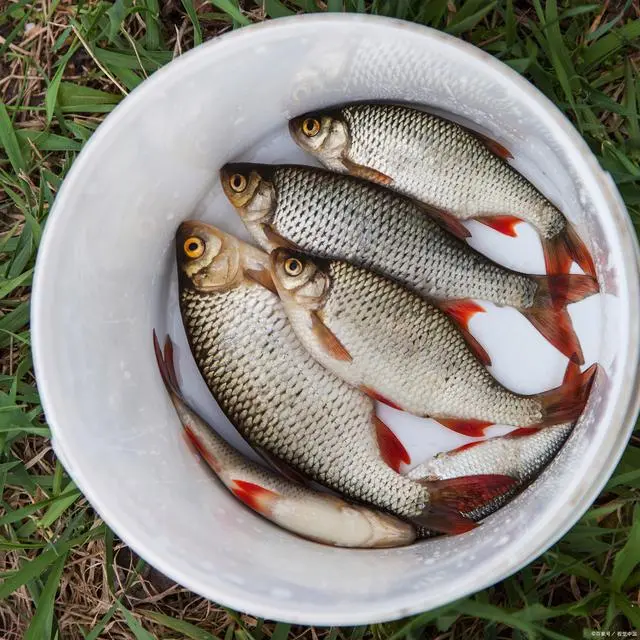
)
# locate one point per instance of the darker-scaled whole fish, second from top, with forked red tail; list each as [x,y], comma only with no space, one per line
[346,218]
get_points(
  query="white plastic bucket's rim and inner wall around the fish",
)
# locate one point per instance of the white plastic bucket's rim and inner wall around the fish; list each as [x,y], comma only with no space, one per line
[102,280]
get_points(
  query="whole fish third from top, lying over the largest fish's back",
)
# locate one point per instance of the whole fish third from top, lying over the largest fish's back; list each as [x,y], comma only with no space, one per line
[394,345]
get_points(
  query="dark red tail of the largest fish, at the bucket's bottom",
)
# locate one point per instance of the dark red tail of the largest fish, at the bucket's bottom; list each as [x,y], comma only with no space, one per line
[450,498]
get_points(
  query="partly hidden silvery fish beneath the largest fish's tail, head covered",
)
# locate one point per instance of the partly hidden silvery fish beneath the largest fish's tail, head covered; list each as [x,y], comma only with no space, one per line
[522,454]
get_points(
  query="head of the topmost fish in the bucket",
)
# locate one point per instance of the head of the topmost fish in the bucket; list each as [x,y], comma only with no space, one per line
[324,134]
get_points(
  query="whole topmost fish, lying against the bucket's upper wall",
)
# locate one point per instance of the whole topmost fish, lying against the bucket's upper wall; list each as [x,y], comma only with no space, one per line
[443,164]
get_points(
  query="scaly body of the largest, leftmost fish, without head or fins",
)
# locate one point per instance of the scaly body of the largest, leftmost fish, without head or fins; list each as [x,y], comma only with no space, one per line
[325,432]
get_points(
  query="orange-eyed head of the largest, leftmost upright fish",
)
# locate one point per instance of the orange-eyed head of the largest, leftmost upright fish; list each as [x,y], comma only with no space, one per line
[208,259]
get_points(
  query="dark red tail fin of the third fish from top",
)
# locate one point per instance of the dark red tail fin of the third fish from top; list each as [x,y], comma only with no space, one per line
[566,402]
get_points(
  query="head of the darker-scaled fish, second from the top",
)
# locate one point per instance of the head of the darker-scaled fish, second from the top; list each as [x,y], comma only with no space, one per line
[250,190]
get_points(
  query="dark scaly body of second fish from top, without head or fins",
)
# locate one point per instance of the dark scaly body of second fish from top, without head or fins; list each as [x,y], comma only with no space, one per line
[350,219]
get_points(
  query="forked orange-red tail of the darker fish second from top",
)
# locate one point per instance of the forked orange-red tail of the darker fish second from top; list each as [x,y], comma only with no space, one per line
[549,315]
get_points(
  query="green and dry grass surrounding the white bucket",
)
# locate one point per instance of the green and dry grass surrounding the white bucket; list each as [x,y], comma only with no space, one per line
[63,67]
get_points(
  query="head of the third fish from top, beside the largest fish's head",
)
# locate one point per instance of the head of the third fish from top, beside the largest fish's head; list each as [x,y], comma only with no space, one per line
[299,279]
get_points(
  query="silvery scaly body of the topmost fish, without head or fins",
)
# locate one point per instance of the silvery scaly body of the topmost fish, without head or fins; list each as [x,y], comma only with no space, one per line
[459,165]
